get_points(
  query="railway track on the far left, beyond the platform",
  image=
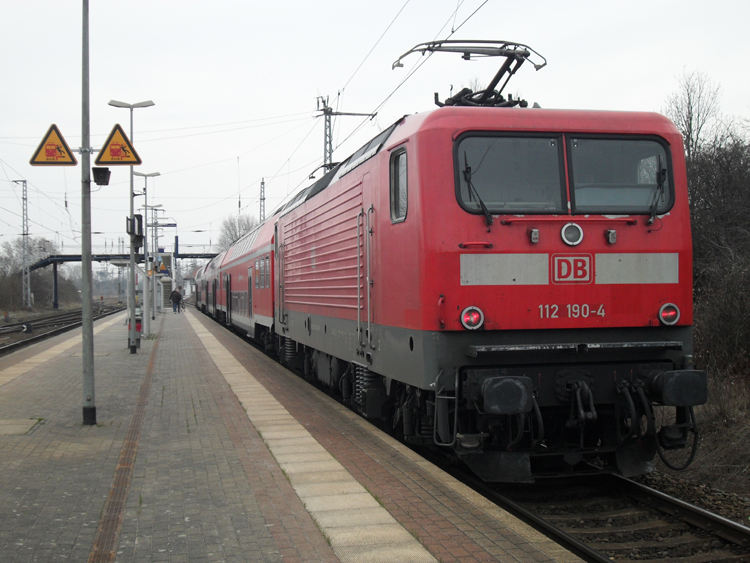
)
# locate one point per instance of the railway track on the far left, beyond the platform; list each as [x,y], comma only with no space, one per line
[14,336]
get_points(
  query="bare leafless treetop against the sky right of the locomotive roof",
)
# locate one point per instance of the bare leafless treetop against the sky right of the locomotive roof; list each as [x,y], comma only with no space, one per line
[694,108]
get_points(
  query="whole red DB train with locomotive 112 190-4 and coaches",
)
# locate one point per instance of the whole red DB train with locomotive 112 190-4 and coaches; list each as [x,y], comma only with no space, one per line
[508,285]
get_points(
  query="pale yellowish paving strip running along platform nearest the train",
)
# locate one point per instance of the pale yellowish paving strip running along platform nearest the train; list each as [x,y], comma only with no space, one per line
[355,524]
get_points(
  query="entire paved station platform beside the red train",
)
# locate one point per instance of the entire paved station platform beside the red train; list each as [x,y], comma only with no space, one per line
[207,450]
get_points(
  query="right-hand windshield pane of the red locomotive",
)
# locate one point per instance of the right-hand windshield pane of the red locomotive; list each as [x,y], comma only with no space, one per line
[619,176]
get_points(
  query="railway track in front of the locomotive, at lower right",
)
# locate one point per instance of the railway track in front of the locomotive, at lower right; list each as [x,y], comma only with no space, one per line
[609,518]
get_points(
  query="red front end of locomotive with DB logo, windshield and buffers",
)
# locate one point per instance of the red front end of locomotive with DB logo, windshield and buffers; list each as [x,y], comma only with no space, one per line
[559,253]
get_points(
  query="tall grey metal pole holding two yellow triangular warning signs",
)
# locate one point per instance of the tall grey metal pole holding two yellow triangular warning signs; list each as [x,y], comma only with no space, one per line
[89,403]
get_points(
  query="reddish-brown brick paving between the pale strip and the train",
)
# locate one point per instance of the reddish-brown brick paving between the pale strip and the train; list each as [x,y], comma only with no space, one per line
[447,518]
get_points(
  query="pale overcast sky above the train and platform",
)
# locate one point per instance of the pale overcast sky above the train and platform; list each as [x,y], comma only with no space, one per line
[235,86]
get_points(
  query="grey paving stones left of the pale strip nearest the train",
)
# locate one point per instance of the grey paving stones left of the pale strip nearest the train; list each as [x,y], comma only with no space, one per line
[204,487]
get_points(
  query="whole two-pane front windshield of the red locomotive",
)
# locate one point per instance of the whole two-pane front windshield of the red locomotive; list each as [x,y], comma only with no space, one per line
[524,174]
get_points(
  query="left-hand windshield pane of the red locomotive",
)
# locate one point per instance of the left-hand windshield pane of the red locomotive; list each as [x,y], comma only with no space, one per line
[509,174]
